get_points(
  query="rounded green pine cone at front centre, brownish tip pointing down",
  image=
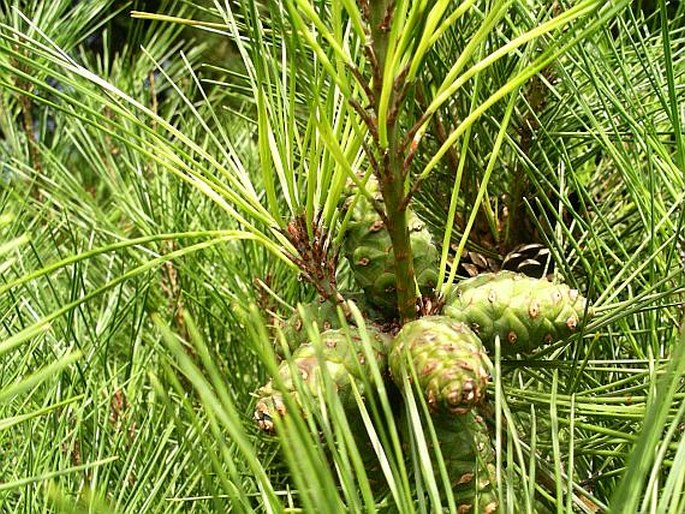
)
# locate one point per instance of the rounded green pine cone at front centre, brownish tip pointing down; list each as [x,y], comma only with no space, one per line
[449,359]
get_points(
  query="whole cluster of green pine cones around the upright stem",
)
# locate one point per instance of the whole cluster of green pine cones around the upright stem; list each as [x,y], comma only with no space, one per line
[444,356]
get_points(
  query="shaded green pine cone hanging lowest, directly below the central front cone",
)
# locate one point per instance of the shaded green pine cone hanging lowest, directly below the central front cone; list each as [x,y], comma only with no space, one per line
[470,461]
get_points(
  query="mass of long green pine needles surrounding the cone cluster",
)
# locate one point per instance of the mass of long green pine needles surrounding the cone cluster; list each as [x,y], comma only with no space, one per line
[148,165]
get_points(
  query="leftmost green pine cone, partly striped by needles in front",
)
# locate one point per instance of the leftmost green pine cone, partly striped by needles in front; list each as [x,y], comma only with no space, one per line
[344,361]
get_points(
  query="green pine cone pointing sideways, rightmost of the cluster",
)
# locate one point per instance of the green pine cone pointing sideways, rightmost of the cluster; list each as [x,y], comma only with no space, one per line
[524,312]
